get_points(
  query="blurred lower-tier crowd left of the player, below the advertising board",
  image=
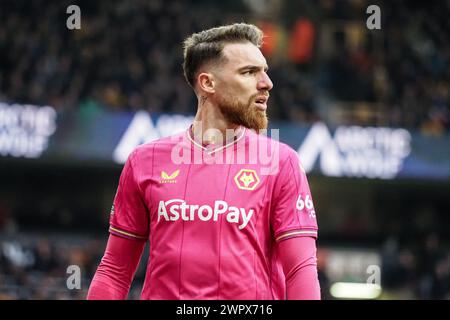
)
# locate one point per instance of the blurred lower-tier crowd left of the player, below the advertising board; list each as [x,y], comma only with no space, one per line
[54,267]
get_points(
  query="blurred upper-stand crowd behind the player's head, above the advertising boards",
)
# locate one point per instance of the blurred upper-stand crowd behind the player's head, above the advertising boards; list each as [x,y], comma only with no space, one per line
[127,56]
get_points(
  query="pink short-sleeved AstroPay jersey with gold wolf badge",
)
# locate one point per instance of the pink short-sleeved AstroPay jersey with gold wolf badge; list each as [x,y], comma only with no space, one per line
[213,228]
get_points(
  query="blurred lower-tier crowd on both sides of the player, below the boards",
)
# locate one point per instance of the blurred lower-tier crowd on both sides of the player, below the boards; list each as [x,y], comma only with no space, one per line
[34,266]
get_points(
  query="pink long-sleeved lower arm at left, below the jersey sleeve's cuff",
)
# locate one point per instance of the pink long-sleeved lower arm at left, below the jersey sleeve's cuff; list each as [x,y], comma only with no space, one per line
[115,273]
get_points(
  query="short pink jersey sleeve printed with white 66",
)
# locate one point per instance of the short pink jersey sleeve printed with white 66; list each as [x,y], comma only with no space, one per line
[293,213]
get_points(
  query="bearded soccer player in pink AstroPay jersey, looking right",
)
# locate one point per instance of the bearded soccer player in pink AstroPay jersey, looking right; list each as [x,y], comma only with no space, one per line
[222,221]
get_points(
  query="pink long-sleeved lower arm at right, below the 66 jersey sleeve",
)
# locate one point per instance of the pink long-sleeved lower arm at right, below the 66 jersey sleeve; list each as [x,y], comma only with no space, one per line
[298,258]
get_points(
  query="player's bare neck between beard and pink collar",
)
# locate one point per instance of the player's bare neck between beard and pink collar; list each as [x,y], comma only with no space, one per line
[210,126]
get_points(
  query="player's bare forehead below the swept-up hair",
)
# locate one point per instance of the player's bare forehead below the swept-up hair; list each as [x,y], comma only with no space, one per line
[242,54]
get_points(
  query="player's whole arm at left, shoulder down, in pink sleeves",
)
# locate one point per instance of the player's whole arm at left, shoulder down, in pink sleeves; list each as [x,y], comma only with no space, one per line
[129,225]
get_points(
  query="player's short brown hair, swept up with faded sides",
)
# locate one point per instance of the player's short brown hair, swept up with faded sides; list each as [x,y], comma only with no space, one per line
[207,45]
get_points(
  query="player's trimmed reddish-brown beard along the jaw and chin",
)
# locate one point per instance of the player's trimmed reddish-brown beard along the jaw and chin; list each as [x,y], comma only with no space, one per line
[243,114]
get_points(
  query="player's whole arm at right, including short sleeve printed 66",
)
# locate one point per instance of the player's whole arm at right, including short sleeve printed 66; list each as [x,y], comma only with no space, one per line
[295,228]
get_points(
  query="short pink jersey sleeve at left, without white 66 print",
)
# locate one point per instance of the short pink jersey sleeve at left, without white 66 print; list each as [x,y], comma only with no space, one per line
[129,215]
